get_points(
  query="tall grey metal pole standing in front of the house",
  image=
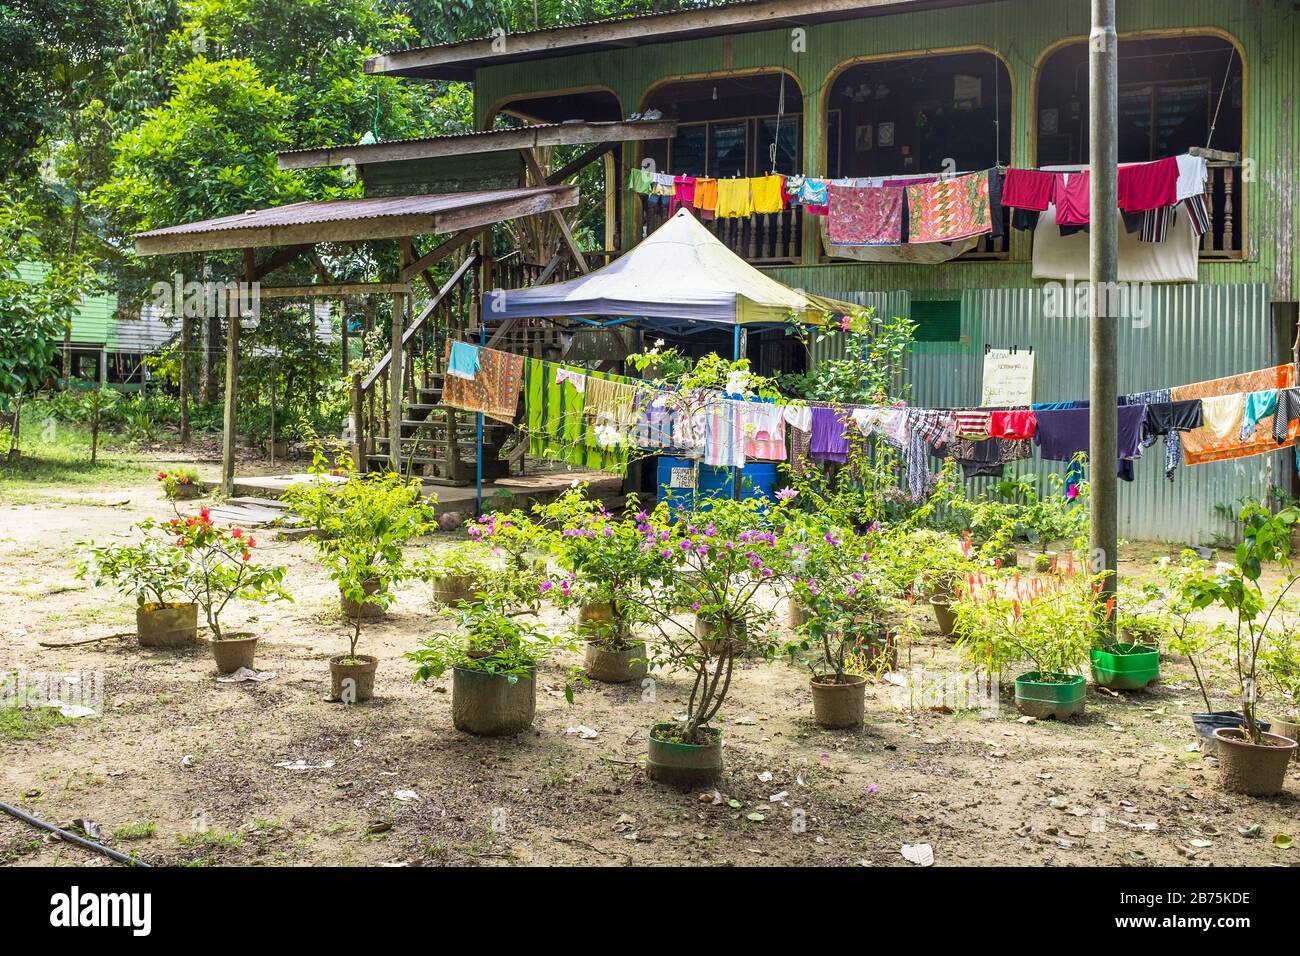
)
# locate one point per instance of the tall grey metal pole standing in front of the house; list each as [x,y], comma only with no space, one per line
[1104,275]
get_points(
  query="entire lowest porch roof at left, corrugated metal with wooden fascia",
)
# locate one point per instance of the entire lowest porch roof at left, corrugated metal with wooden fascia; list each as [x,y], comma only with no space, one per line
[356,220]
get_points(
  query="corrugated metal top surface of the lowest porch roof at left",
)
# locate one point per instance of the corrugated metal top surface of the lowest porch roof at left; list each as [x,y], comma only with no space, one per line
[350,211]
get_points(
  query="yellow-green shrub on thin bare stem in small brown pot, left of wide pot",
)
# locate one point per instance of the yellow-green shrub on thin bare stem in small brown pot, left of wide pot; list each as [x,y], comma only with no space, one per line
[362,540]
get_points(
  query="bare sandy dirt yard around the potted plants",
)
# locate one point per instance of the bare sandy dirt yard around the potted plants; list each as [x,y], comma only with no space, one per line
[202,760]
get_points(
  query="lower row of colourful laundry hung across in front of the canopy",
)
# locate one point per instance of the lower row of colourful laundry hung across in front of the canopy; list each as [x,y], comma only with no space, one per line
[593,419]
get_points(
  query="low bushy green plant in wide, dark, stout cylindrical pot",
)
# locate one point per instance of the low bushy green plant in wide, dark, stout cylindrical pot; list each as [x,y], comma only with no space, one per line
[493,659]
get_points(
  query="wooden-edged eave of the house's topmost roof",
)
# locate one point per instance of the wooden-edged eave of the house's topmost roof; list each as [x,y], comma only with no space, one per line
[460,60]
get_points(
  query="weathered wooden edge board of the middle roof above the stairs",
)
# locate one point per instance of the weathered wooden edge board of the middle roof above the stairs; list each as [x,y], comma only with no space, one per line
[475,144]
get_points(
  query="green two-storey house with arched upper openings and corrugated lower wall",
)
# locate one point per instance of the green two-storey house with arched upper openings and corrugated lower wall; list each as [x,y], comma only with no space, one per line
[879,88]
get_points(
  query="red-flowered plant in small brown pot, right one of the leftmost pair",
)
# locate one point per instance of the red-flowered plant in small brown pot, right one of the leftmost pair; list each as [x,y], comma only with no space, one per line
[223,572]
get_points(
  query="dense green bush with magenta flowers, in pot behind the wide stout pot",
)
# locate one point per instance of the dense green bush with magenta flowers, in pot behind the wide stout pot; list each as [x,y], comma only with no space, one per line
[606,569]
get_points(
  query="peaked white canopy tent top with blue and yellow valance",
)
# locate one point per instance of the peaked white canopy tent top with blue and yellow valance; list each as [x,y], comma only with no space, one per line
[679,274]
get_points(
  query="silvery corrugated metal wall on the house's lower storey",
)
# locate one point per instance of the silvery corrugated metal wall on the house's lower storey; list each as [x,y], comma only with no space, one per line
[1194,334]
